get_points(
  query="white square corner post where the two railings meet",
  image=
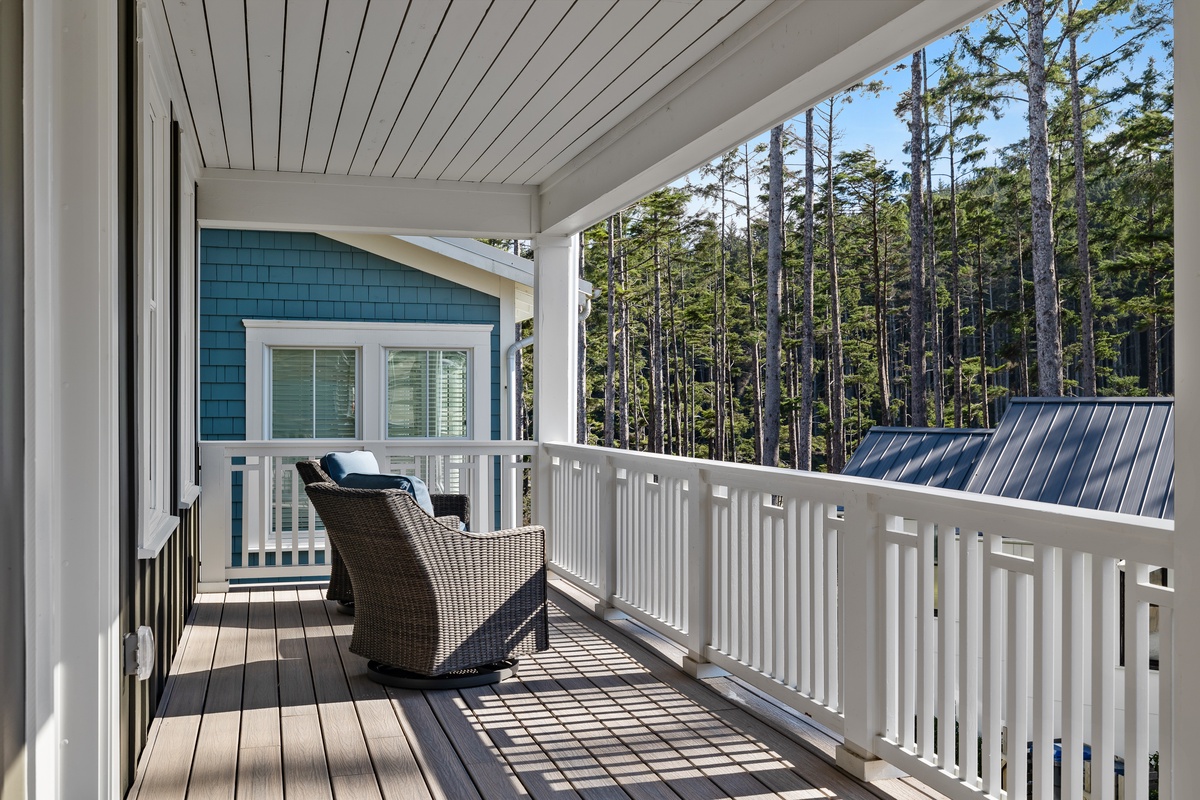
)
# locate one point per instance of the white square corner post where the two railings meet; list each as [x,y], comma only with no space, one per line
[555,323]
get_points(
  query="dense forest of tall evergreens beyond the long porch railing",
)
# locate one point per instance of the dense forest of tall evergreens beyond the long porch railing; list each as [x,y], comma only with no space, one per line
[794,294]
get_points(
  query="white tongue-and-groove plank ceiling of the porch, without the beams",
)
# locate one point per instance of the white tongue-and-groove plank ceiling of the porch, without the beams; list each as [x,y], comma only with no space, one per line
[465,91]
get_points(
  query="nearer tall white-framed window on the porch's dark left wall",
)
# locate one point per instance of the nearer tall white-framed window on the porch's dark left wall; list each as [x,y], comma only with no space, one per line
[155,395]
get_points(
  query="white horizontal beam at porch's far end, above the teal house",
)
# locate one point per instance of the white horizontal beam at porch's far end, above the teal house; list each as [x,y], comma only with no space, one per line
[268,201]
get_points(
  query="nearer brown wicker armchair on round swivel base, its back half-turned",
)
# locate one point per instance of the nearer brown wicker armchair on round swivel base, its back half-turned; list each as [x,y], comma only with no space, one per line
[434,601]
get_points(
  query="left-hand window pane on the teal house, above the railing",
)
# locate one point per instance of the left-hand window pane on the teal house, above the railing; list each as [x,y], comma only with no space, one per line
[315,394]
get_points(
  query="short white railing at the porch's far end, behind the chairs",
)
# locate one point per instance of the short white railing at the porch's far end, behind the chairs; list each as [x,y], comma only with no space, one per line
[257,524]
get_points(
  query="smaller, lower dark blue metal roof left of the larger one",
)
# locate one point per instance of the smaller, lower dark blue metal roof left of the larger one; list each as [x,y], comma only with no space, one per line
[940,458]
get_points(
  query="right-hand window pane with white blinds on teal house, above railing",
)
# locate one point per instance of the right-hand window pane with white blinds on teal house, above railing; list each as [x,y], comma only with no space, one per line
[428,394]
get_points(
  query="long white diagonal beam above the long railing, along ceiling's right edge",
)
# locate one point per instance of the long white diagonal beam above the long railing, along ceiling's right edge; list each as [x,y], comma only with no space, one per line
[777,67]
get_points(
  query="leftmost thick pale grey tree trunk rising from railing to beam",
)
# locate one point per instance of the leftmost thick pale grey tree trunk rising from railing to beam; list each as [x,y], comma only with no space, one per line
[773,398]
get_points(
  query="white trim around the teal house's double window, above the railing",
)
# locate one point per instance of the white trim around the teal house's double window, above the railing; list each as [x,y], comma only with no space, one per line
[373,340]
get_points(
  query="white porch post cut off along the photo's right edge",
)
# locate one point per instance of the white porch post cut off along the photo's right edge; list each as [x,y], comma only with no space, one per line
[1187,402]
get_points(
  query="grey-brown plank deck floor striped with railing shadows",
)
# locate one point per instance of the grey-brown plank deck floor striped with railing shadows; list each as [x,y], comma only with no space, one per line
[266,701]
